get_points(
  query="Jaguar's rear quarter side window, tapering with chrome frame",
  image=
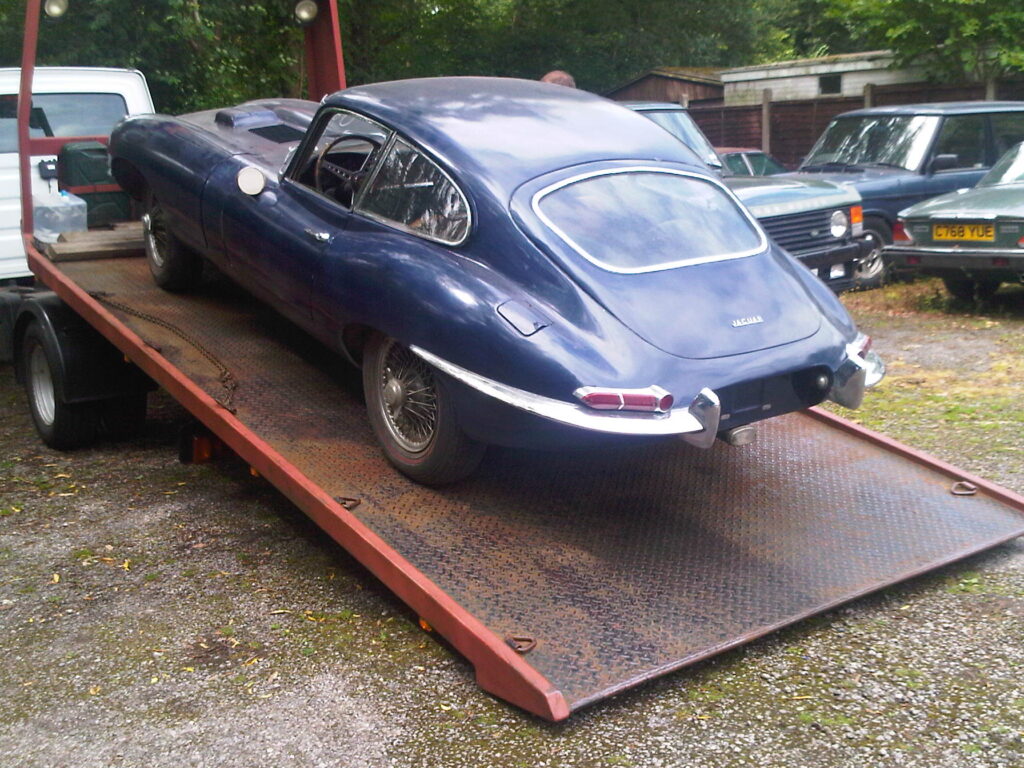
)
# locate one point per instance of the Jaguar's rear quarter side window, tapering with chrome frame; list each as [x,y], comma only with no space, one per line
[411,192]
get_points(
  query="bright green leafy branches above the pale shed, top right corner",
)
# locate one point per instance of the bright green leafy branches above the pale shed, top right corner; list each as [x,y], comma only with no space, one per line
[978,40]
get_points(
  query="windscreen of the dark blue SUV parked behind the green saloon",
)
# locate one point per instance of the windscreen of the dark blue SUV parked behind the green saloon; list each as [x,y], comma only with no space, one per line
[888,141]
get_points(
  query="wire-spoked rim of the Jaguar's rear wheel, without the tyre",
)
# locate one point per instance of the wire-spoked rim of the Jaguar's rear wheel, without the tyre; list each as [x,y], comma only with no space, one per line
[409,395]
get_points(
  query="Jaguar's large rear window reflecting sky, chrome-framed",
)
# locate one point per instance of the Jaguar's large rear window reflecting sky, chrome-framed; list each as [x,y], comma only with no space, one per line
[645,220]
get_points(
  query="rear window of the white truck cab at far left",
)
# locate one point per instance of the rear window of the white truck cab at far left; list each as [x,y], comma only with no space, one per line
[63,115]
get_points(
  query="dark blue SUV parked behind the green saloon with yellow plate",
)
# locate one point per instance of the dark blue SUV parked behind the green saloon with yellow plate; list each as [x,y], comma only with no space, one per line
[899,156]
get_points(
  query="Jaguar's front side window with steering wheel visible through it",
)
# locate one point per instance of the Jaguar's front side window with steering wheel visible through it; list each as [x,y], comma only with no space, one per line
[340,161]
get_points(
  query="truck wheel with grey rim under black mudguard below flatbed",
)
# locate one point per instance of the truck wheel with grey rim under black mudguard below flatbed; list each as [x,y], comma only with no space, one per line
[62,425]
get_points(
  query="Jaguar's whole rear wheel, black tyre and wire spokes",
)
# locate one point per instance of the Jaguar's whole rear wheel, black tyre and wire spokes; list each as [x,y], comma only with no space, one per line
[412,413]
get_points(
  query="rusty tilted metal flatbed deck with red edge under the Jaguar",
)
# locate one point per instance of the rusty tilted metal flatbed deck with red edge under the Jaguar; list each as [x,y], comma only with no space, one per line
[608,568]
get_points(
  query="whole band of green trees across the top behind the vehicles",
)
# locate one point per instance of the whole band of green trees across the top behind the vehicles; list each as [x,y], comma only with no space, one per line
[202,54]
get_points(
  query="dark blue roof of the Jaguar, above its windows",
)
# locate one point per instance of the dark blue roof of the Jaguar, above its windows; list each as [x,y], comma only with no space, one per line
[503,132]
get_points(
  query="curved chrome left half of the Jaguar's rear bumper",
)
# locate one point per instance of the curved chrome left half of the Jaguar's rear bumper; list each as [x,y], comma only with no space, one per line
[677,421]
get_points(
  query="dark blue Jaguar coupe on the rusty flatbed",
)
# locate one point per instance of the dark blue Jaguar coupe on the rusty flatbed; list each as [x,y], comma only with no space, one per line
[510,263]
